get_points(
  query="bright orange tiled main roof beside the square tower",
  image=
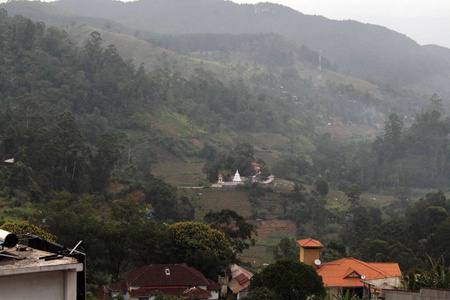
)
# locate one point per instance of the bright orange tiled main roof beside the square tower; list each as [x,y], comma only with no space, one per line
[347,272]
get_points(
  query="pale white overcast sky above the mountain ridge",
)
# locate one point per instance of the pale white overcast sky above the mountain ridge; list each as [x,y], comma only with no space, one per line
[425,21]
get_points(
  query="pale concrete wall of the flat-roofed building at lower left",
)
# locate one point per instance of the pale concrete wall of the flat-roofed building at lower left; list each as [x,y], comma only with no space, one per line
[39,286]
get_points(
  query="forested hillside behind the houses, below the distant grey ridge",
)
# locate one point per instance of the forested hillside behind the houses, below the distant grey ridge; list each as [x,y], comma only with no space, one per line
[82,130]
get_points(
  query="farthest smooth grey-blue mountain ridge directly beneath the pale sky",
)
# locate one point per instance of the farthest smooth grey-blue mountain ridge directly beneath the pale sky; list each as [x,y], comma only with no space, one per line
[366,51]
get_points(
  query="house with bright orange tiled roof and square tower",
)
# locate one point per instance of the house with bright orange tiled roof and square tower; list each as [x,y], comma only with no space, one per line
[361,278]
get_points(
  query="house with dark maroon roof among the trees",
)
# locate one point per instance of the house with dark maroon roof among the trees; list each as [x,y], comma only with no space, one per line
[173,280]
